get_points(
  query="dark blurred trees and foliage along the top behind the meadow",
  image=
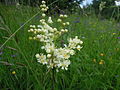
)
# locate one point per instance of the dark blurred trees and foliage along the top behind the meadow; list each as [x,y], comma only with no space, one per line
[107,10]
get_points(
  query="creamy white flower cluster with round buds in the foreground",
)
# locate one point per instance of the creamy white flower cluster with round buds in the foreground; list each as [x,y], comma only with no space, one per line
[54,57]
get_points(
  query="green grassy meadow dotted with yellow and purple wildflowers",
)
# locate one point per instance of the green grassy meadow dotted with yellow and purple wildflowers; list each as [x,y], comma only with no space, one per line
[95,67]
